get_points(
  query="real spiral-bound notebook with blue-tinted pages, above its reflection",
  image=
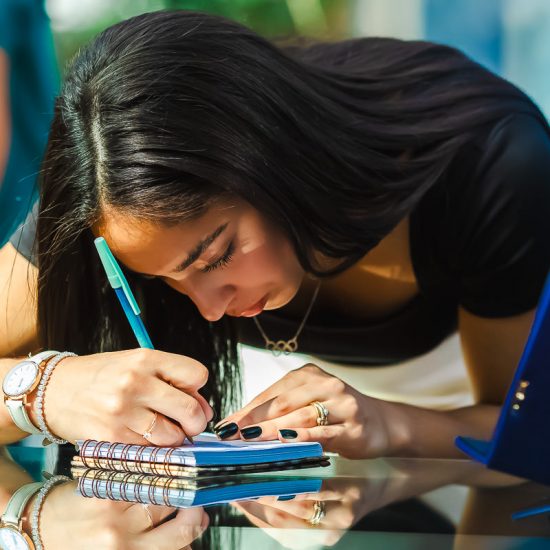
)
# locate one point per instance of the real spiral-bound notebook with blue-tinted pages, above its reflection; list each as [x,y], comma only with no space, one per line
[206,454]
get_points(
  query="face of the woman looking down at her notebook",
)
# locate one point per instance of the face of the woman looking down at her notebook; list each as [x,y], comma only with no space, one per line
[228,261]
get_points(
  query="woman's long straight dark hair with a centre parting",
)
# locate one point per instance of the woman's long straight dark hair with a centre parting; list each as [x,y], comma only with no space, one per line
[165,112]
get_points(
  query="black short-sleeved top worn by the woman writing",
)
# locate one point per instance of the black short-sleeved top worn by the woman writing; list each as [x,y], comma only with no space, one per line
[479,238]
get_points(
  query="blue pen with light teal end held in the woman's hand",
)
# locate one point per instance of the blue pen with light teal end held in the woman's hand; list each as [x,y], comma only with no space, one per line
[122,288]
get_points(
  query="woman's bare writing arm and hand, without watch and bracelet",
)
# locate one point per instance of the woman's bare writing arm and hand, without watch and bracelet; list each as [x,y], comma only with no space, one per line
[107,396]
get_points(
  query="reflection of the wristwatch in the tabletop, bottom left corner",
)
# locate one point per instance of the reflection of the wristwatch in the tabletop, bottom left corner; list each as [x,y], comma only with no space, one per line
[12,535]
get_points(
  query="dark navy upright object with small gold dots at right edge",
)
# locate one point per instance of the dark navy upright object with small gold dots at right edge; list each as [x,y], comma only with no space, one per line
[521,441]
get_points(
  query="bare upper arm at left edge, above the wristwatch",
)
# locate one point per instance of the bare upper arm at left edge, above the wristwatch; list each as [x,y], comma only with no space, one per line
[18,298]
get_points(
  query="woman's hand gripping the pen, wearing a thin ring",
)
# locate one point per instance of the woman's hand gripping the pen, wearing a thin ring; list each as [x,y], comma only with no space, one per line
[113,397]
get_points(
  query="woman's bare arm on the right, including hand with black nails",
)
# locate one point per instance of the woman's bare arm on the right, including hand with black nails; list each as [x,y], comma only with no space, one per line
[361,426]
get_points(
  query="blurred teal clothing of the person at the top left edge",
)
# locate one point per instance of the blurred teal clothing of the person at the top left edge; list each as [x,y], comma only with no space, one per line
[26,39]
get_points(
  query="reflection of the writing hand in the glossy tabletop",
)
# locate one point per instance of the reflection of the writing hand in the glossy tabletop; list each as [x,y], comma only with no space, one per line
[69,520]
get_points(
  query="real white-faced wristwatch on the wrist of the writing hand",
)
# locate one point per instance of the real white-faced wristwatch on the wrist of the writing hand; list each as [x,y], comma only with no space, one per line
[18,383]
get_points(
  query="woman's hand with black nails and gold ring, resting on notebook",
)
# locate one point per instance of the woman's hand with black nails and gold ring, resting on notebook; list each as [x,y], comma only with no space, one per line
[358,426]
